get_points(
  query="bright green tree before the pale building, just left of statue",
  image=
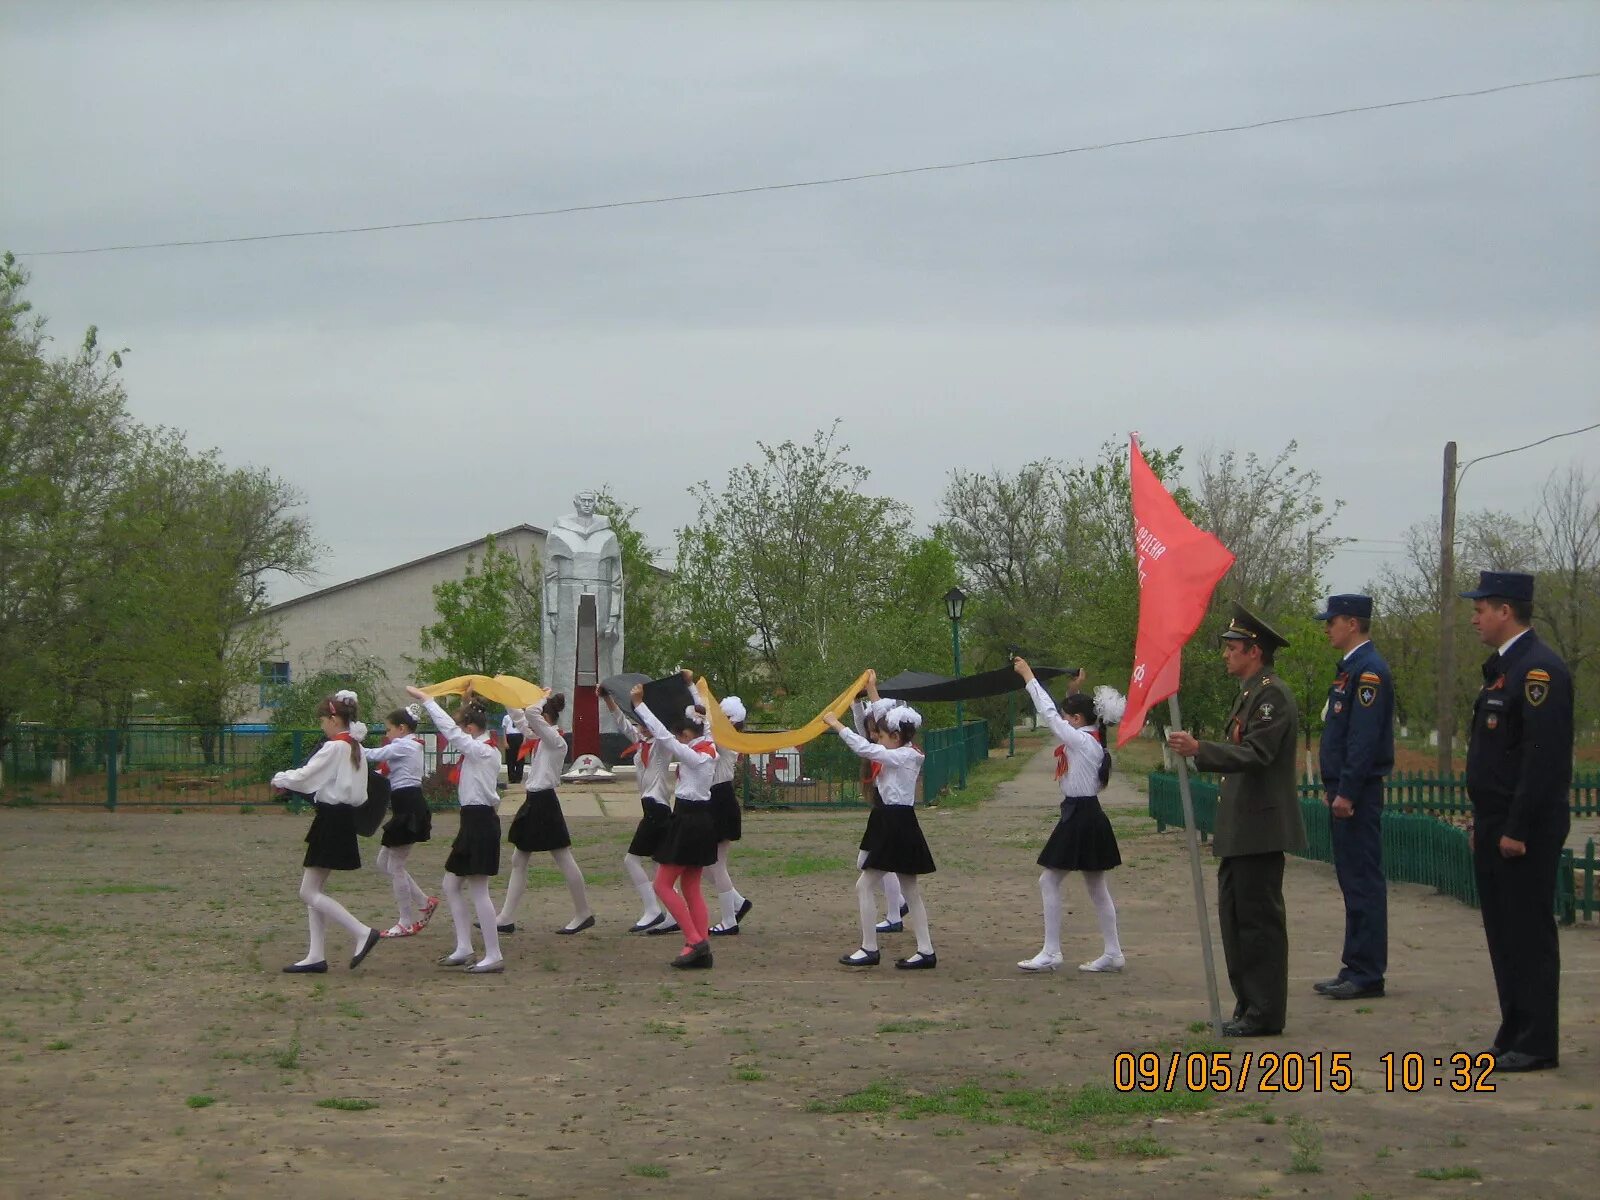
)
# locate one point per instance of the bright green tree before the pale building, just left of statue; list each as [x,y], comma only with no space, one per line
[489,620]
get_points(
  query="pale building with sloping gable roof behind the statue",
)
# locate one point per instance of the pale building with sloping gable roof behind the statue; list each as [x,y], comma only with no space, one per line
[380,615]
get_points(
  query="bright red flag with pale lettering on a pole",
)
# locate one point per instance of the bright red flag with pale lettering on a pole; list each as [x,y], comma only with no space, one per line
[1180,567]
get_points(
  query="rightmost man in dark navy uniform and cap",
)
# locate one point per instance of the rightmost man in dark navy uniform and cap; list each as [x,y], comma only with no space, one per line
[1519,775]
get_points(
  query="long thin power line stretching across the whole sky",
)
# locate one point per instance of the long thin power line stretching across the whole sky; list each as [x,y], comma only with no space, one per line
[814,183]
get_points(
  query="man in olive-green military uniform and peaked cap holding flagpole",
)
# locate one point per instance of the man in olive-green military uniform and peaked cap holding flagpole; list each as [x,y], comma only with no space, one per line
[1257,822]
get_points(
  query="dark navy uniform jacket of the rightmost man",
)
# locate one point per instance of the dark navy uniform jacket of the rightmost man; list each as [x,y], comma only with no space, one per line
[1521,753]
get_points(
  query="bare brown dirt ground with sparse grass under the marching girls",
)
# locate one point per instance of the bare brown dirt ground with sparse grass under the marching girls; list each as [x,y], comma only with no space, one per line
[150,1046]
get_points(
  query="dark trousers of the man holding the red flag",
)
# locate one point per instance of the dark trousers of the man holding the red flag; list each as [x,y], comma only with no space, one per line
[1255,937]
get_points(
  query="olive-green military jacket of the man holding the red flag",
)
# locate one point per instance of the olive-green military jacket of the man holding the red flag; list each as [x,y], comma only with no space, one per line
[1260,807]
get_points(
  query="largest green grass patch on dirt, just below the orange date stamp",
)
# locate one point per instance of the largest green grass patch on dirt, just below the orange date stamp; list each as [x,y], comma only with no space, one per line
[1039,1110]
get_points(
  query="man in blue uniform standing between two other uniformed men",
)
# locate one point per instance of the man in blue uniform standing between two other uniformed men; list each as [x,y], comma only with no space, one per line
[1358,753]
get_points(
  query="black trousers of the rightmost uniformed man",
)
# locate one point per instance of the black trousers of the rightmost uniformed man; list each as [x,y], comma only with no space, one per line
[1518,897]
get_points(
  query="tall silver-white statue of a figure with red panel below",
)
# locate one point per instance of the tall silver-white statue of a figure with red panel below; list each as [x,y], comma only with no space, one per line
[583,615]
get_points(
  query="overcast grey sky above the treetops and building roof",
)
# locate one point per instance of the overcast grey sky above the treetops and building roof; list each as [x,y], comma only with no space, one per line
[1372,286]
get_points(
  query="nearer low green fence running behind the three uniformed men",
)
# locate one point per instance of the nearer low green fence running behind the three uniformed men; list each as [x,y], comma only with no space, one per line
[1418,849]
